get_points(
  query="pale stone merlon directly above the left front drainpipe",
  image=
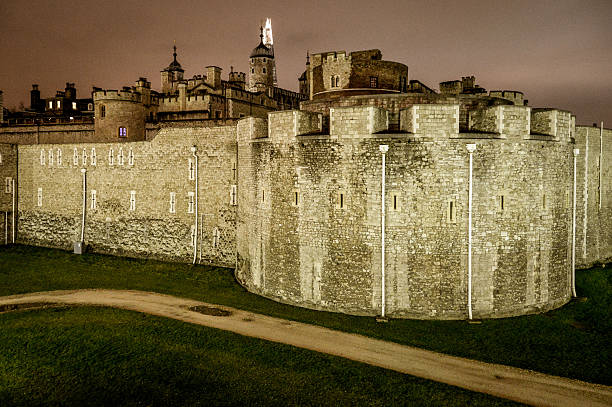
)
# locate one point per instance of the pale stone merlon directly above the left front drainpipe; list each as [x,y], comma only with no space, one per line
[349,122]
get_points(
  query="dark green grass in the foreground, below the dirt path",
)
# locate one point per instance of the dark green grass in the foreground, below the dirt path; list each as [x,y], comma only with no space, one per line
[102,356]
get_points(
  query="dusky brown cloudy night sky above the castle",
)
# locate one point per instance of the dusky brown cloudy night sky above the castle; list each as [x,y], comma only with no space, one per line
[559,53]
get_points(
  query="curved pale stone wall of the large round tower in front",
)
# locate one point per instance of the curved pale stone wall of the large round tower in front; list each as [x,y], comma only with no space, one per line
[308,227]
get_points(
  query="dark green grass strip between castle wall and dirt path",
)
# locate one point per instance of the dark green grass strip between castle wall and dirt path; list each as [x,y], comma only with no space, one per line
[574,341]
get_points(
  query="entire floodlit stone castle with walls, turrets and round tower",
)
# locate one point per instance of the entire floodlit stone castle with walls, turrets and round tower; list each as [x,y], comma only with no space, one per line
[365,192]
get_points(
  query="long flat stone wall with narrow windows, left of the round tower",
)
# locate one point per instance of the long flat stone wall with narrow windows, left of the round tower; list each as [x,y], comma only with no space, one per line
[152,170]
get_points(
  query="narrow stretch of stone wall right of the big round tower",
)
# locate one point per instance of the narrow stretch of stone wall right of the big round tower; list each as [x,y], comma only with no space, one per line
[593,209]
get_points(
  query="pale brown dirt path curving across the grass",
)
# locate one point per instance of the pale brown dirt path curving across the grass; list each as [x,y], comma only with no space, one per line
[502,381]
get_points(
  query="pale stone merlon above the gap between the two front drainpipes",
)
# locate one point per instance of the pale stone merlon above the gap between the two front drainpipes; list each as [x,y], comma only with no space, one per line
[431,119]
